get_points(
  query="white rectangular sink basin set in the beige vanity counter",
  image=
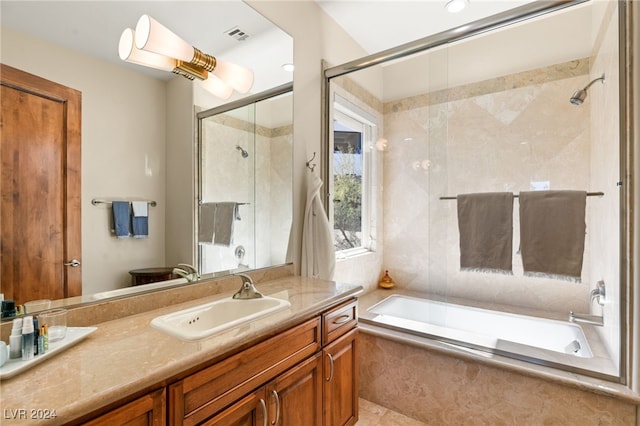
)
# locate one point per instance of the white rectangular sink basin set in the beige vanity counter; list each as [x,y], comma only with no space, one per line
[212,318]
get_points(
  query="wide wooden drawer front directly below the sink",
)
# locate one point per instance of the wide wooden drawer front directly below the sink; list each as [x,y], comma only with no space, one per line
[206,392]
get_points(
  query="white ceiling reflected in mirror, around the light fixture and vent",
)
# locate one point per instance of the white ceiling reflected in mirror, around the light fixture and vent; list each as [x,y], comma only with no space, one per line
[94,28]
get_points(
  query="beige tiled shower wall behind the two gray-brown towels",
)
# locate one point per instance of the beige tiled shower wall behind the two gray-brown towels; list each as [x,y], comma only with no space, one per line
[506,134]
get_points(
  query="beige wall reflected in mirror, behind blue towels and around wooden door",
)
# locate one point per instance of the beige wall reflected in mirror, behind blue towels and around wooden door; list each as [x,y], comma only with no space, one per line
[123,152]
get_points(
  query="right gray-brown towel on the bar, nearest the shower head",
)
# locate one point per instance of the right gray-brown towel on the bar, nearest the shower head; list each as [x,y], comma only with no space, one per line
[552,231]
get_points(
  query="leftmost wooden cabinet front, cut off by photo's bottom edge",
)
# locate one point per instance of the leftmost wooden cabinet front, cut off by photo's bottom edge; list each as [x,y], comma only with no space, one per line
[148,410]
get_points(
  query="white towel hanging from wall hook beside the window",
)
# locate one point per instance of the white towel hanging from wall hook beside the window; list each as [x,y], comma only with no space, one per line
[318,254]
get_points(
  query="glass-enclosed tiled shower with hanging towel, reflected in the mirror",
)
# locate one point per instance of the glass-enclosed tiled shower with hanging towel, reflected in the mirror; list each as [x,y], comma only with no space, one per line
[246,183]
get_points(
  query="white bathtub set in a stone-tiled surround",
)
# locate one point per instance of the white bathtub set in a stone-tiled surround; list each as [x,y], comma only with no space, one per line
[498,332]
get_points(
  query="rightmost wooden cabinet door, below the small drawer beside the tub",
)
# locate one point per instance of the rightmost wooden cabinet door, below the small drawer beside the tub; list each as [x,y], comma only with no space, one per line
[340,368]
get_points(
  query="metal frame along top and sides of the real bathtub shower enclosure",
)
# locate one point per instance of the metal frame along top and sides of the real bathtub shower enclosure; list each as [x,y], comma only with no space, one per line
[629,370]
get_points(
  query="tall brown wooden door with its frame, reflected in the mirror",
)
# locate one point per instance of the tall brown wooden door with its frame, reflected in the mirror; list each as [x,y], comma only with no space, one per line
[40,205]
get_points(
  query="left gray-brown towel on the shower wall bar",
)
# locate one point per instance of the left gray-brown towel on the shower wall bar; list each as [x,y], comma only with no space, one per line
[485,222]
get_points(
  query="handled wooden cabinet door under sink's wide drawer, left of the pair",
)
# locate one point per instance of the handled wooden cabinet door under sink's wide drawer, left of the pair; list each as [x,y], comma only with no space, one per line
[249,411]
